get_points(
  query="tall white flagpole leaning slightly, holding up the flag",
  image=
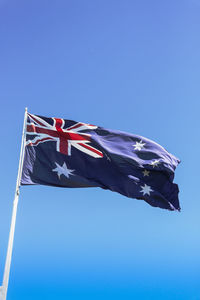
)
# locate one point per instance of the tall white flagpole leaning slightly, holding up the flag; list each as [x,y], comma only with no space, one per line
[4,287]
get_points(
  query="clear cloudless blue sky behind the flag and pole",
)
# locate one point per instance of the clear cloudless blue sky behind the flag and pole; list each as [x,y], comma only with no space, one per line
[128,65]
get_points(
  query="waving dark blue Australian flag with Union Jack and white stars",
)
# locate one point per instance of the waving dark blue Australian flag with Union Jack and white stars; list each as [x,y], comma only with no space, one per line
[71,154]
